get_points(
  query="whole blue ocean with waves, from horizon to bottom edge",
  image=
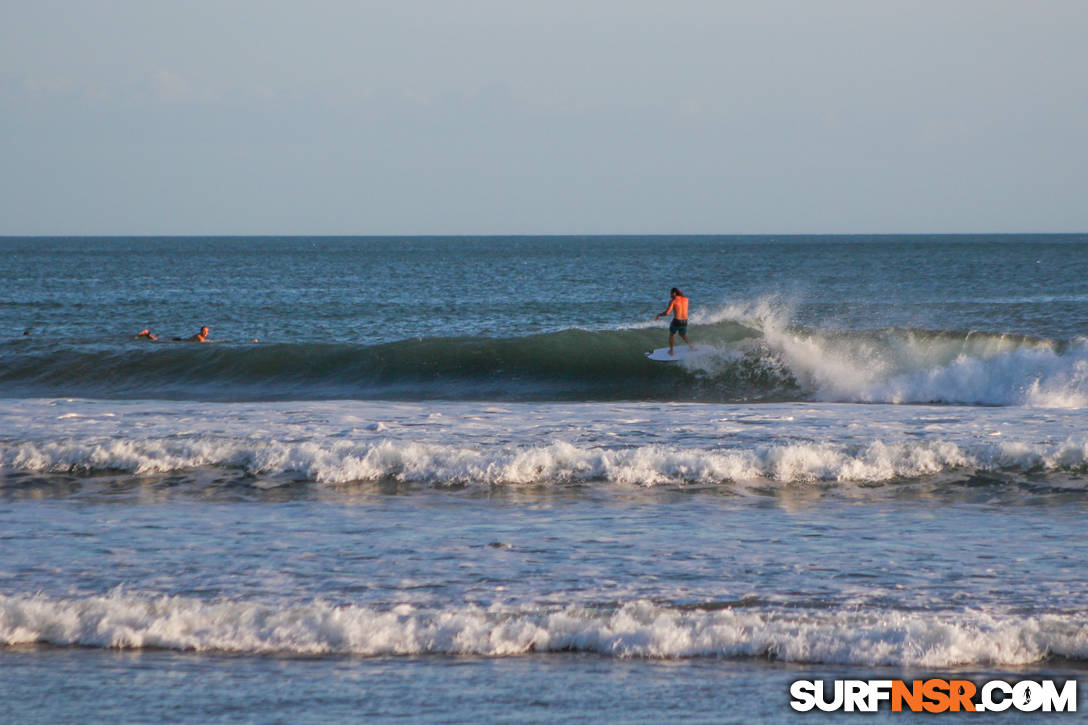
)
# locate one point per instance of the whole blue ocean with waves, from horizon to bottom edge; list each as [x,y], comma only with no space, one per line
[437,480]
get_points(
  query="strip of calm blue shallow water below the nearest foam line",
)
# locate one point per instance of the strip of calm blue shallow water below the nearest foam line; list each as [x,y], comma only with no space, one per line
[168,687]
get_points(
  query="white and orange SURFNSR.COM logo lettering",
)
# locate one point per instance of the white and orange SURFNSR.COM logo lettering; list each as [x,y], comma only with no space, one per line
[934,696]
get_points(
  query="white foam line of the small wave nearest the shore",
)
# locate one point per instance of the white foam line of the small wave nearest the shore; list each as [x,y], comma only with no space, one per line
[636,630]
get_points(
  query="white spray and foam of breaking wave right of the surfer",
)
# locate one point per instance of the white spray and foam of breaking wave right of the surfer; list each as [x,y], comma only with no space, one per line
[909,367]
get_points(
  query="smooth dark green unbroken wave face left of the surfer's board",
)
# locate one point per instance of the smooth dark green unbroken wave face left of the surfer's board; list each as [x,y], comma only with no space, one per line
[567,365]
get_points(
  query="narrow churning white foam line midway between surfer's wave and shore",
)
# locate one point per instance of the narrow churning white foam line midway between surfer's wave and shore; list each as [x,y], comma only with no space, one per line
[341,462]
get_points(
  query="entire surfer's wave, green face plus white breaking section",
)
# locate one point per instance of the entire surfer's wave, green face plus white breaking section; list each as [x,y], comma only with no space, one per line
[736,363]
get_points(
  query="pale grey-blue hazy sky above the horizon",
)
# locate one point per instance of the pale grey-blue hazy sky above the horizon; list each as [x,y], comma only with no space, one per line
[508,117]
